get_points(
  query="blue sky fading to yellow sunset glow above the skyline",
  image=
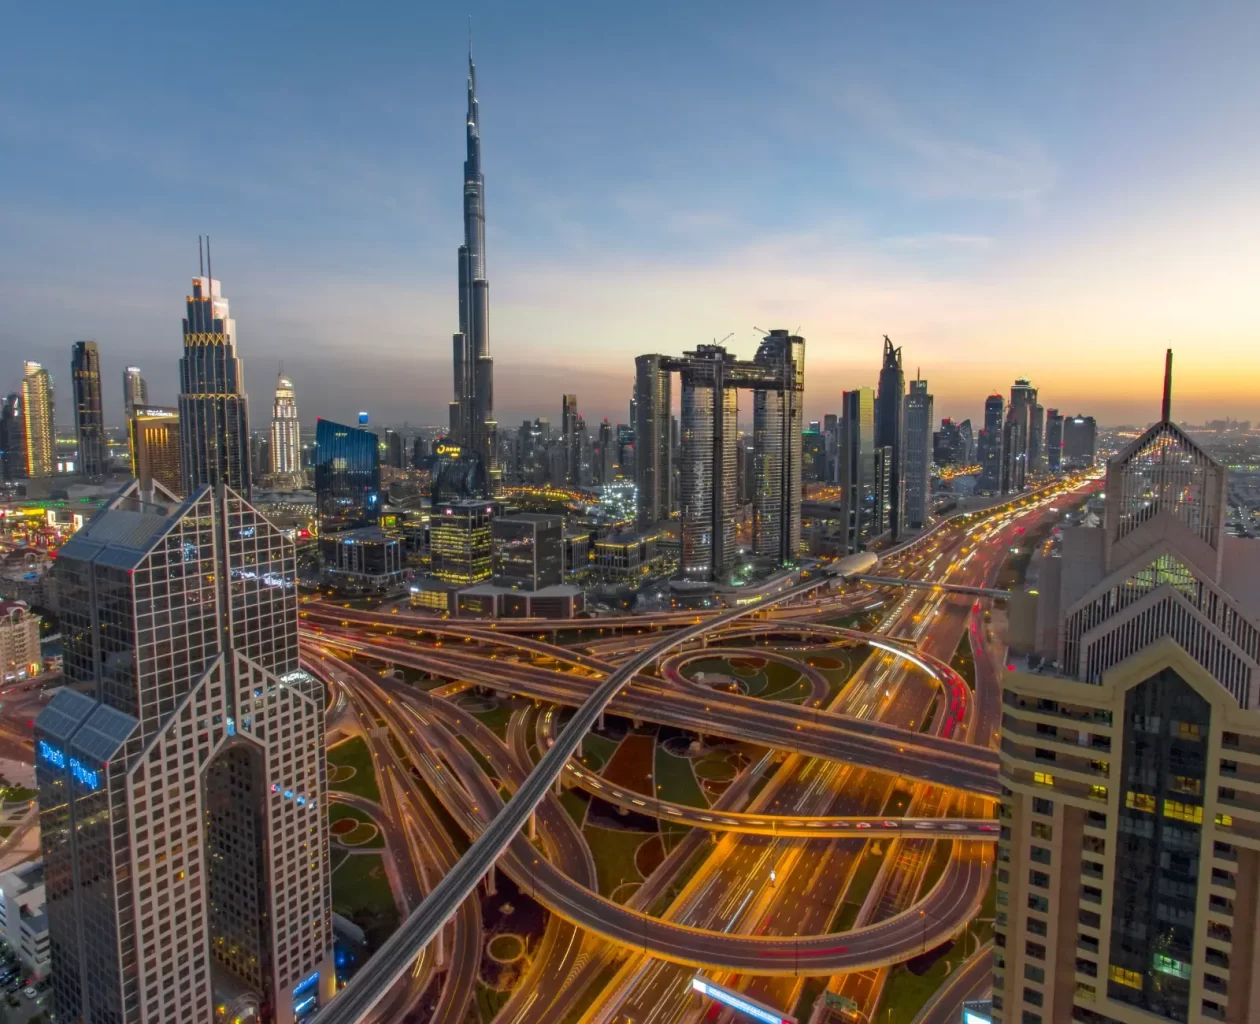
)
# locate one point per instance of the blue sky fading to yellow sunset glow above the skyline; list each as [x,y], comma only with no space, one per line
[1055,192]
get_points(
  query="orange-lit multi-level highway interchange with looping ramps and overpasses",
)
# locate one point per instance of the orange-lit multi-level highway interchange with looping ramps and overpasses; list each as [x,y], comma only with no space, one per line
[822,808]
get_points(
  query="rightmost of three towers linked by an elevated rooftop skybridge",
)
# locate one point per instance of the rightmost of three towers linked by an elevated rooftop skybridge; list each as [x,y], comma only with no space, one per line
[777,441]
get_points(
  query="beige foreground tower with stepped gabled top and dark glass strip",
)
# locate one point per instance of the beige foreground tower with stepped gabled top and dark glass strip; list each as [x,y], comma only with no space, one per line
[1130,816]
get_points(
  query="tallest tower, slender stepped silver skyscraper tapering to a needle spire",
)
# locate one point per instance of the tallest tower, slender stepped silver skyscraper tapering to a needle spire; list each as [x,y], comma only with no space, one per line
[473,424]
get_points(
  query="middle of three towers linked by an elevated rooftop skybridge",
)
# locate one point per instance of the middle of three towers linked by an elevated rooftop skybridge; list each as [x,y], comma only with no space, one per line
[707,477]
